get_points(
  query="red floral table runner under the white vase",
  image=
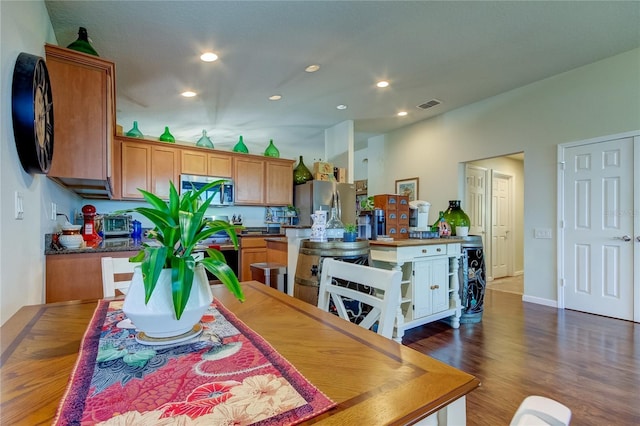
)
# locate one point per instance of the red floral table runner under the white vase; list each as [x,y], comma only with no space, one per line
[226,375]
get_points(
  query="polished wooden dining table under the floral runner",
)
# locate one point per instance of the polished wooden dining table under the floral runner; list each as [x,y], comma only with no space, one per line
[373,380]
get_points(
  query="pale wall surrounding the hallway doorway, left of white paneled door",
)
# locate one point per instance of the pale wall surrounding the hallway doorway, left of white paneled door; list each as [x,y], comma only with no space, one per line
[598,99]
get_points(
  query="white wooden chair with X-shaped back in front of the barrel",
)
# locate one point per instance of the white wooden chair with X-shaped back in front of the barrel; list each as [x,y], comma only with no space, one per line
[384,302]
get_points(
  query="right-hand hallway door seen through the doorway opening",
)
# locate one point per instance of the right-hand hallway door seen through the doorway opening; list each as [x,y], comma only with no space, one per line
[501,225]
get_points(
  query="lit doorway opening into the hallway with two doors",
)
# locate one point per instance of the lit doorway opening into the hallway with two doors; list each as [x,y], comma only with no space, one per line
[494,201]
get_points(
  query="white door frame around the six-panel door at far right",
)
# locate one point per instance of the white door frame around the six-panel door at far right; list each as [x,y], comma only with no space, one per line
[560,284]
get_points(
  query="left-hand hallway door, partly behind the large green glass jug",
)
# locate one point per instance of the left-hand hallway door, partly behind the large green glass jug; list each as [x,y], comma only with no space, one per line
[475,202]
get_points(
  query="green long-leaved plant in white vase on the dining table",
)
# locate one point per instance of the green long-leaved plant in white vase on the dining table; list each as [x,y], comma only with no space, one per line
[169,277]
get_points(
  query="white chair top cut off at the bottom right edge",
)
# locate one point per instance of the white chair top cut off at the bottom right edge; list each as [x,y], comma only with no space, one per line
[541,411]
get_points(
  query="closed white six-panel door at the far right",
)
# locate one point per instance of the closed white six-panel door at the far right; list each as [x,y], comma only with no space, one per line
[598,218]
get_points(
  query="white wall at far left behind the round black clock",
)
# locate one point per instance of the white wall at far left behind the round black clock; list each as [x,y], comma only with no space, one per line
[25,27]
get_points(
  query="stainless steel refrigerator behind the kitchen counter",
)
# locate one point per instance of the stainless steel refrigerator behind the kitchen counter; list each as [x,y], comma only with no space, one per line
[315,195]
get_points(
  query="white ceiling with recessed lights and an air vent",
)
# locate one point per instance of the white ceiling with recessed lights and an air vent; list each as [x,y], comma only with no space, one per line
[456,52]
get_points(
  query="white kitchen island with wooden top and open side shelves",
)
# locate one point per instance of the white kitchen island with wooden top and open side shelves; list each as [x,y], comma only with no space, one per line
[430,284]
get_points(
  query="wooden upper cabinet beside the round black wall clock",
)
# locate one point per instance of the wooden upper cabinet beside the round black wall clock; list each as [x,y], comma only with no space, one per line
[83,91]
